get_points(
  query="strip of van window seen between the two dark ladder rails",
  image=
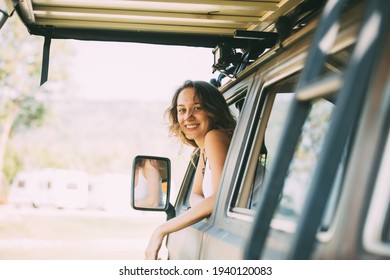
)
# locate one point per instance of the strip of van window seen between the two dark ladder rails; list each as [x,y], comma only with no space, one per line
[297,181]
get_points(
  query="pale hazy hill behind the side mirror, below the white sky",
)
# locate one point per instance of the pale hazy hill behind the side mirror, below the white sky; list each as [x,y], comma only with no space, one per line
[99,136]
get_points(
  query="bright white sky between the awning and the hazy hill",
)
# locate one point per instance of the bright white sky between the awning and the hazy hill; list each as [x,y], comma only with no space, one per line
[112,71]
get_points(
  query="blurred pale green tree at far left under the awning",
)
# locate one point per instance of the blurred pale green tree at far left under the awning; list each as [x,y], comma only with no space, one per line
[22,100]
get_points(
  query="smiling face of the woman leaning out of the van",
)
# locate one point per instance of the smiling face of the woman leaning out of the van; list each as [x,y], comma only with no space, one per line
[193,119]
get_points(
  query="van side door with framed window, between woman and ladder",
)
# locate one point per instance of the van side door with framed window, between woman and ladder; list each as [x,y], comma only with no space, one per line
[252,149]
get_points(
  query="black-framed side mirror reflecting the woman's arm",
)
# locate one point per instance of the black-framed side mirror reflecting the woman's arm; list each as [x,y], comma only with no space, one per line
[151,184]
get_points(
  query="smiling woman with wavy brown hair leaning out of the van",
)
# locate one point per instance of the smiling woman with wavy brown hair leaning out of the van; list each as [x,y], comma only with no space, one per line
[200,117]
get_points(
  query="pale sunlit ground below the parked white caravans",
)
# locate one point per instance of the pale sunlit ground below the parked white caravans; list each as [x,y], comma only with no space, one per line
[63,234]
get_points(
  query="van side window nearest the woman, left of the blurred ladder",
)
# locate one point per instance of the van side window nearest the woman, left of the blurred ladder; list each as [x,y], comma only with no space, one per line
[268,125]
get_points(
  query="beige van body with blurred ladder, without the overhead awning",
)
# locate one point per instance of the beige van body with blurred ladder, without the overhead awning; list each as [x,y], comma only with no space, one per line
[305,174]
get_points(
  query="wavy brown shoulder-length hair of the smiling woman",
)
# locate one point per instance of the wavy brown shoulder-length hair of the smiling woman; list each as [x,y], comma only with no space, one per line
[211,101]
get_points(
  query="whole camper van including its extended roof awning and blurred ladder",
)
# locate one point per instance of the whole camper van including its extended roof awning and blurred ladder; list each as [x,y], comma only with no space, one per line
[306,175]
